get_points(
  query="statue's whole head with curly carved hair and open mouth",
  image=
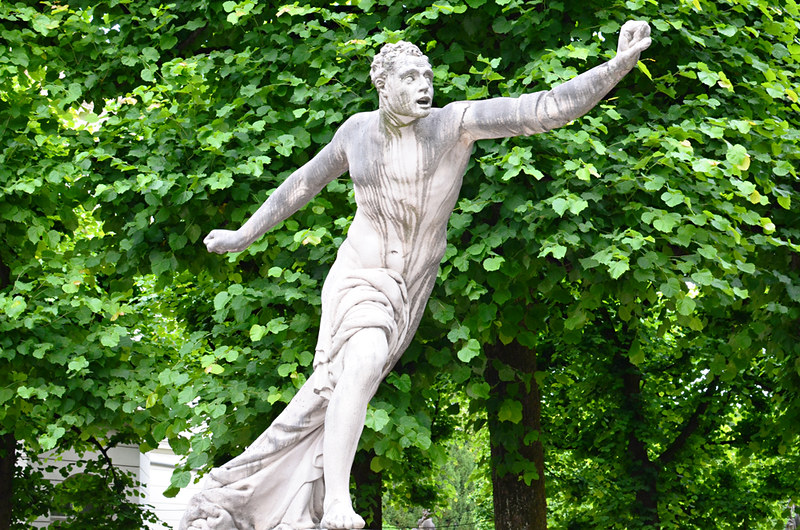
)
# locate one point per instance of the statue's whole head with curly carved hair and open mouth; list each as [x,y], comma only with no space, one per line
[404,79]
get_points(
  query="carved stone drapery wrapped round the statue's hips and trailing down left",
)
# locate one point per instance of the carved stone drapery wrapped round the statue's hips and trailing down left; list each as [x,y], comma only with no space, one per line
[277,483]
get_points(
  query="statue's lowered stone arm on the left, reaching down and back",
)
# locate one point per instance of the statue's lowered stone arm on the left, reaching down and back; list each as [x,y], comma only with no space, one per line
[294,193]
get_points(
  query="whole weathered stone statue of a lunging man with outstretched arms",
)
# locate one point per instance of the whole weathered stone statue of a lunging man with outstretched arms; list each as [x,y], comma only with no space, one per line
[406,160]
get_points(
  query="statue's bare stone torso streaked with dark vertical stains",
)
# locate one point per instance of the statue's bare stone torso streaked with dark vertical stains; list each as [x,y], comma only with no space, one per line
[406,182]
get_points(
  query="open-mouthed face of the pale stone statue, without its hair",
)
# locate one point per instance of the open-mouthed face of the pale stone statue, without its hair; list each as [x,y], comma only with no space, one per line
[407,90]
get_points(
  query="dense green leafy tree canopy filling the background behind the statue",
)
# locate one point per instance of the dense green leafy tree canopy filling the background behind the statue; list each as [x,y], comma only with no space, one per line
[637,272]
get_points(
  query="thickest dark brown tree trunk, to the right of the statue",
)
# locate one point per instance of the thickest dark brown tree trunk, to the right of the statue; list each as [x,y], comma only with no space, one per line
[517,505]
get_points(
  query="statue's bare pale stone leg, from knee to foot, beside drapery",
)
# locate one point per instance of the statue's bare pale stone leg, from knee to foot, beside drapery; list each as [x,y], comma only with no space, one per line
[364,359]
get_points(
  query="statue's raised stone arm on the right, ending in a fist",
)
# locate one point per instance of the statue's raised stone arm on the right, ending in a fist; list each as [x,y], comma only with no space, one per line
[543,111]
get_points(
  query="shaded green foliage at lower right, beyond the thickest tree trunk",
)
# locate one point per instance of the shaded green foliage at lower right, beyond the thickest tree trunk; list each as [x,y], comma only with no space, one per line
[623,388]
